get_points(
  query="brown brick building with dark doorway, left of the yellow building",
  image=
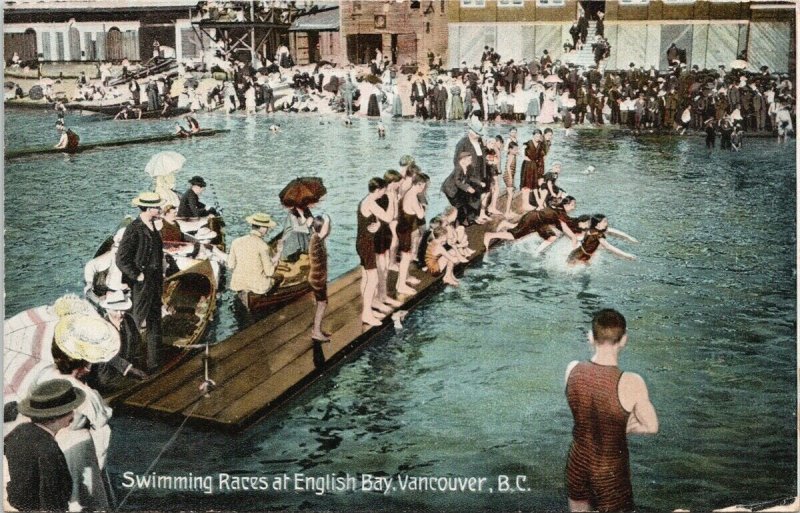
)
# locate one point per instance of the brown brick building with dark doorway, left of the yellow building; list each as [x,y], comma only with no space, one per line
[405,31]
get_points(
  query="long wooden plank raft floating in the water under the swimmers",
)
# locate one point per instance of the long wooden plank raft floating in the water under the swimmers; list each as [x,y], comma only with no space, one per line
[267,364]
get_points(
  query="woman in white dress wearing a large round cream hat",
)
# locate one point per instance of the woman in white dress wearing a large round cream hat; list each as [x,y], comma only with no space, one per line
[80,341]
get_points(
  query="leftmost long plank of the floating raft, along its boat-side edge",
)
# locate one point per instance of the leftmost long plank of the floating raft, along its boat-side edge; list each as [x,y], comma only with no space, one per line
[160,386]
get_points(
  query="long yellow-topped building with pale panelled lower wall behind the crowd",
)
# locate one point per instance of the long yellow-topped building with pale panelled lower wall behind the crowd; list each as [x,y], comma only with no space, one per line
[712,32]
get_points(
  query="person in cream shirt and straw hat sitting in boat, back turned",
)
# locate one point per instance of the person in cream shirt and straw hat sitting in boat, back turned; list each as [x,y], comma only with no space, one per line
[251,259]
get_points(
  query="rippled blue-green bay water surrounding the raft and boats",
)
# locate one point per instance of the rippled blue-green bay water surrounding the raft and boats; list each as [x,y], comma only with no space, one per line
[473,383]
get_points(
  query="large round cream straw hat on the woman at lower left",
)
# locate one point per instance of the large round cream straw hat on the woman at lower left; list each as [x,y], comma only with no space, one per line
[85,337]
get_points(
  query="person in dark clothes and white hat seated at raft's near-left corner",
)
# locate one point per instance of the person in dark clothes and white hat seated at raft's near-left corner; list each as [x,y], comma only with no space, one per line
[121,371]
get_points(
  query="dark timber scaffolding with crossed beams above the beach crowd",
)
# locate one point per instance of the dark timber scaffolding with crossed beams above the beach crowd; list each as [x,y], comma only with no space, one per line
[260,30]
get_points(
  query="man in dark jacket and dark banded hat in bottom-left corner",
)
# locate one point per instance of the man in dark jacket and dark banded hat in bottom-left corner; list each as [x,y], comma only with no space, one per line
[39,478]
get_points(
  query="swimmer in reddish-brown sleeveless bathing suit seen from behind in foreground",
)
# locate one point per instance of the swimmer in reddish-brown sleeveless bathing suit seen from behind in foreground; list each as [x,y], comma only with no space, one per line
[606,404]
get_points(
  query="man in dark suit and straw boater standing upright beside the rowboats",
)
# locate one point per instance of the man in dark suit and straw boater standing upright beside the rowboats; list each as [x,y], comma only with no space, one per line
[140,259]
